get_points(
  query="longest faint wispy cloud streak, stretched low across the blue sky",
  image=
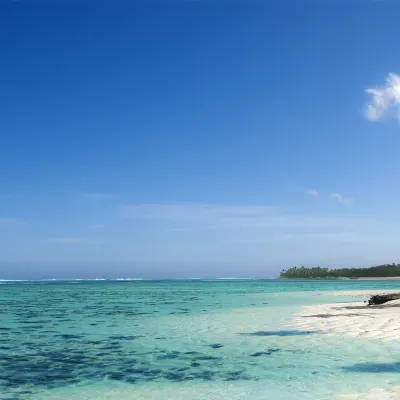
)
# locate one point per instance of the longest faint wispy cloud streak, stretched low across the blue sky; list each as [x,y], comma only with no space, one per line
[213,217]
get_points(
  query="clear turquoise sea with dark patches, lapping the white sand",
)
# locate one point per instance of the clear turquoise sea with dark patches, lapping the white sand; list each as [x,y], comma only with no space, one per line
[181,340]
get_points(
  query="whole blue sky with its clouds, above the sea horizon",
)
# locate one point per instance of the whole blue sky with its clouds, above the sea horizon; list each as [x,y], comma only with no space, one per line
[183,138]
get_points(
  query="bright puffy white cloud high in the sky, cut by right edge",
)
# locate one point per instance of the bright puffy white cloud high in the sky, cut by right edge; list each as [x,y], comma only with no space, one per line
[385,100]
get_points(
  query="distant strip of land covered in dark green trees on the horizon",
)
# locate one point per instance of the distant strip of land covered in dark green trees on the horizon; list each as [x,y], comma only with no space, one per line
[380,271]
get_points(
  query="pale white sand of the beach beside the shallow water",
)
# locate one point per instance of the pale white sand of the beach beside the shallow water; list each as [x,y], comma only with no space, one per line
[355,319]
